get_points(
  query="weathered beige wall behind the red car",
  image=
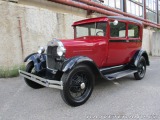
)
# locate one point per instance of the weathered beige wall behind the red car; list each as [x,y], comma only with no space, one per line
[29,25]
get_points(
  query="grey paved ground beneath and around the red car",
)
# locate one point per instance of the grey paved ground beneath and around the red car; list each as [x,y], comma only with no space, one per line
[125,98]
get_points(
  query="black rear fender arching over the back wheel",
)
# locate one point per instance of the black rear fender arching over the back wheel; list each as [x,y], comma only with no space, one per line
[138,55]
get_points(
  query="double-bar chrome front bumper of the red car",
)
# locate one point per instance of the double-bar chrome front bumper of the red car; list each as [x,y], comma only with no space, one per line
[42,81]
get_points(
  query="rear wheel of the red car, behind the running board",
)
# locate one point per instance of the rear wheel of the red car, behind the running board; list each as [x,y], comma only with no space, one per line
[141,69]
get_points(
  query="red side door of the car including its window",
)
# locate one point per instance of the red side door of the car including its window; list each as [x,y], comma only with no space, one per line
[117,49]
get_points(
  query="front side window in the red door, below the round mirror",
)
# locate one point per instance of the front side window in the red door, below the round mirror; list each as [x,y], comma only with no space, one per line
[118,30]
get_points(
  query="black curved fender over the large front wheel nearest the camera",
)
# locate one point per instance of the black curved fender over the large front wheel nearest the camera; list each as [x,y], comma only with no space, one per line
[69,64]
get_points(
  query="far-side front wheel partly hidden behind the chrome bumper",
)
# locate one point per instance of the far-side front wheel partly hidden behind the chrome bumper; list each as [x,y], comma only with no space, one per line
[30,69]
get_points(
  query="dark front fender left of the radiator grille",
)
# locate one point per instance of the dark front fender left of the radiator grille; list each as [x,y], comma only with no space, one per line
[37,59]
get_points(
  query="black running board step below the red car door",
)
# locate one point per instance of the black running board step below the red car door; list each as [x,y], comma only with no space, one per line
[120,74]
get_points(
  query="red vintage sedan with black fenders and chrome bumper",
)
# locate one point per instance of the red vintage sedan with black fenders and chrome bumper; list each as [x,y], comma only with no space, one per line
[103,47]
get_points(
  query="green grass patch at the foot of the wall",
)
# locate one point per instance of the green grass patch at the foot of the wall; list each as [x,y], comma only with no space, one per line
[10,72]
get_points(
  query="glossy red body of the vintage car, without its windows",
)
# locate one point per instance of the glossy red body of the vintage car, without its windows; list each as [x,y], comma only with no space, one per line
[105,51]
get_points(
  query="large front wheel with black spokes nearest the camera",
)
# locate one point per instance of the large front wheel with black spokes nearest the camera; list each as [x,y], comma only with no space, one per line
[77,85]
